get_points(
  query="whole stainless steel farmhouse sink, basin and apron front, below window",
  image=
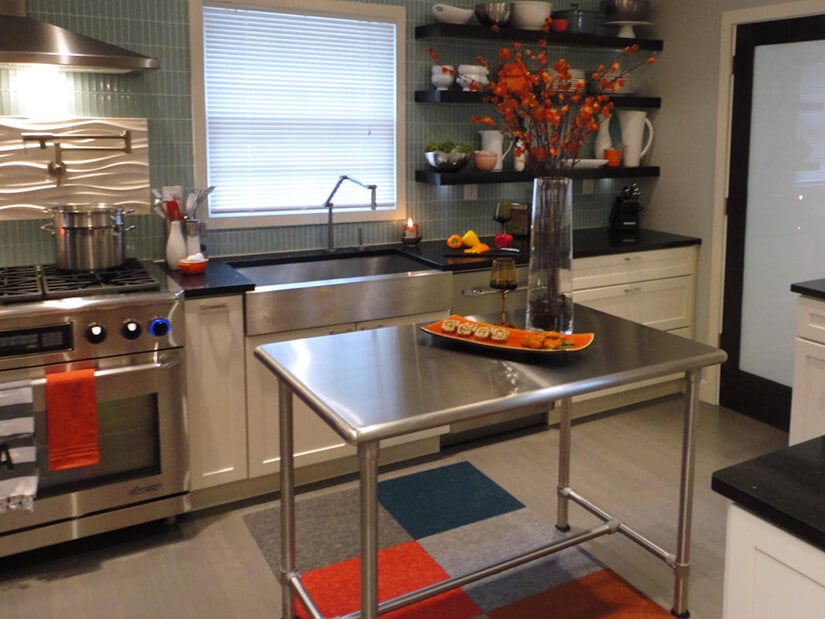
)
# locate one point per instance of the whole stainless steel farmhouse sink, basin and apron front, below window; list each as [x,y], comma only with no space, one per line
[319,291]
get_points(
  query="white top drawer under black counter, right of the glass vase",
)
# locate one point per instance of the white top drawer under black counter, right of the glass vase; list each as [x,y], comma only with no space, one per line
[633,267]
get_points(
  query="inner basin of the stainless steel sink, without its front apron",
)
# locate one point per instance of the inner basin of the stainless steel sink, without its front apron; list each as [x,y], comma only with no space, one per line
[345,266]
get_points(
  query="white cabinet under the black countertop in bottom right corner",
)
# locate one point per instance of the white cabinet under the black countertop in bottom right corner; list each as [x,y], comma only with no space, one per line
[770,573]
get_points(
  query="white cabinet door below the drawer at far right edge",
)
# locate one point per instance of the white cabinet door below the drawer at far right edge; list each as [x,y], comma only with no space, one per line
[808,395]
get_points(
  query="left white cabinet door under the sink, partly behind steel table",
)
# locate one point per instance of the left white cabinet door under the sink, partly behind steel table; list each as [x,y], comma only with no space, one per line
[314,440]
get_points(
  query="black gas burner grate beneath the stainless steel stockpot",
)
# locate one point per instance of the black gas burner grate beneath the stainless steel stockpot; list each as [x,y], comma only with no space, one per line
[131,276]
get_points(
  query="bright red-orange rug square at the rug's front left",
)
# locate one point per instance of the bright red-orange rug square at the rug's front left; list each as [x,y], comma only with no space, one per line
[336,589]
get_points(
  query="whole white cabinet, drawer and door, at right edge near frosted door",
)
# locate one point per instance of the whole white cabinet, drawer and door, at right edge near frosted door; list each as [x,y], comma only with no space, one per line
[808,399]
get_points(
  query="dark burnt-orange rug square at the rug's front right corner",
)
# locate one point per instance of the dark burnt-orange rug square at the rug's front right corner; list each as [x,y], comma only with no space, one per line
[600,595]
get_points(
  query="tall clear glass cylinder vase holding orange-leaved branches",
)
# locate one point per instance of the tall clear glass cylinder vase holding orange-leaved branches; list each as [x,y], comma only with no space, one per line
[550,270]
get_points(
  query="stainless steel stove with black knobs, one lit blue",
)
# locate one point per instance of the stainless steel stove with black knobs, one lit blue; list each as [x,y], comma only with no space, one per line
[127,325]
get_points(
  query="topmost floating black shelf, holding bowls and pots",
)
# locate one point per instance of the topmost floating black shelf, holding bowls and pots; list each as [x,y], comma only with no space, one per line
[506,33]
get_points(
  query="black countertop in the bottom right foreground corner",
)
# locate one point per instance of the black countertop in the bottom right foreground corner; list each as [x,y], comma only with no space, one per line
[785,488]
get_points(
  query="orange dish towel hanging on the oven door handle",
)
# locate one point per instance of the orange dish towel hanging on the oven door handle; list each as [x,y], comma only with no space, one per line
[71,419]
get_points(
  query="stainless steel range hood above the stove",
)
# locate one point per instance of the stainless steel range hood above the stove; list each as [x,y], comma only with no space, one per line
[25,41]
